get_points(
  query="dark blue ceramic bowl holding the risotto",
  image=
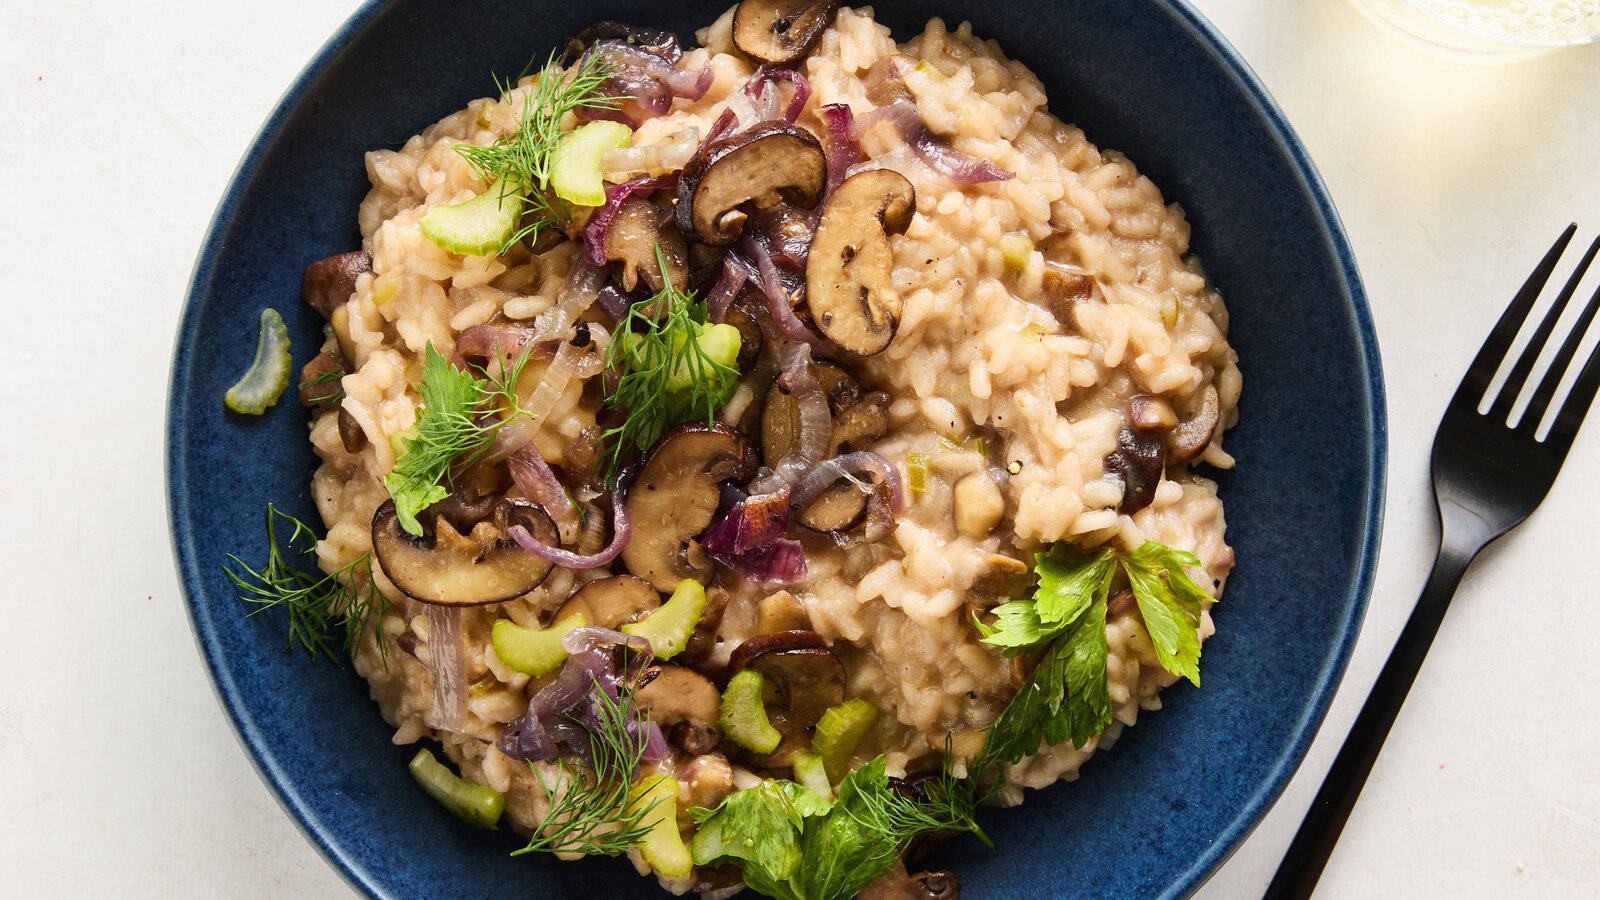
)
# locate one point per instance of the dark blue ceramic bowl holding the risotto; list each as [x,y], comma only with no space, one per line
[1150,78]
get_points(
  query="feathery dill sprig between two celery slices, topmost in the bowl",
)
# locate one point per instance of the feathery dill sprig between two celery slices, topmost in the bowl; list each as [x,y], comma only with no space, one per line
[522,159]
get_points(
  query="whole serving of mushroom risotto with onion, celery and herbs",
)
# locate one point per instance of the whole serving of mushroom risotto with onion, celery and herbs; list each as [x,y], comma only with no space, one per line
[810,424]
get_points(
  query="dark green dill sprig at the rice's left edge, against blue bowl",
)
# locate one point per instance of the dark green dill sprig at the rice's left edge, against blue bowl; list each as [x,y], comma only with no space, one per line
[348,598]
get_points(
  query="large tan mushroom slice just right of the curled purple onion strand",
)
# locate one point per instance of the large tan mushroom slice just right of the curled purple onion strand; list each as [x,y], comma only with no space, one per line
[674,499]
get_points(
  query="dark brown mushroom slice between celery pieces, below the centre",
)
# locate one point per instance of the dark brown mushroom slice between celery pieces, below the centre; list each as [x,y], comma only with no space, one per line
[804,677]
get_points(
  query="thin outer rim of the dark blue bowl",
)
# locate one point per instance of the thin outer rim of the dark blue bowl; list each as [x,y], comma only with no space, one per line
[1327,681]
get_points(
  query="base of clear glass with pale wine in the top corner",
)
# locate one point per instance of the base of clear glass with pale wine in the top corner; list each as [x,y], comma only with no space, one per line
[1494,26]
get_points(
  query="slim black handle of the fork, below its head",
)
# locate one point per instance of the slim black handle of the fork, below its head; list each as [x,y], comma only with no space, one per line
[1306,858]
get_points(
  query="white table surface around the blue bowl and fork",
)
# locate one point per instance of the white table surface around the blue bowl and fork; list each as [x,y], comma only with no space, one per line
[121,777]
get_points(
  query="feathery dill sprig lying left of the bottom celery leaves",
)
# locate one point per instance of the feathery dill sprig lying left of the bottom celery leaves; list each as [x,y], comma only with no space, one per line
[594,813]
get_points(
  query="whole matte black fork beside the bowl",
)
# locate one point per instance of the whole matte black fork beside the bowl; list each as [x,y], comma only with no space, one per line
[1489,476]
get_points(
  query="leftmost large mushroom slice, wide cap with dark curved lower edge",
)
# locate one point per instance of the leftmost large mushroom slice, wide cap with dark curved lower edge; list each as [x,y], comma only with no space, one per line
[450,569]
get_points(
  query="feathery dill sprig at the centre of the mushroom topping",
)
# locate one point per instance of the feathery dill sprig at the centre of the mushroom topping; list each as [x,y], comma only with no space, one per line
[665,376]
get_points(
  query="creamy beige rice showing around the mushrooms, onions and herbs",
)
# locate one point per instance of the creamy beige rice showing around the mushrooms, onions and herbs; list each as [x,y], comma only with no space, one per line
[980,353]
